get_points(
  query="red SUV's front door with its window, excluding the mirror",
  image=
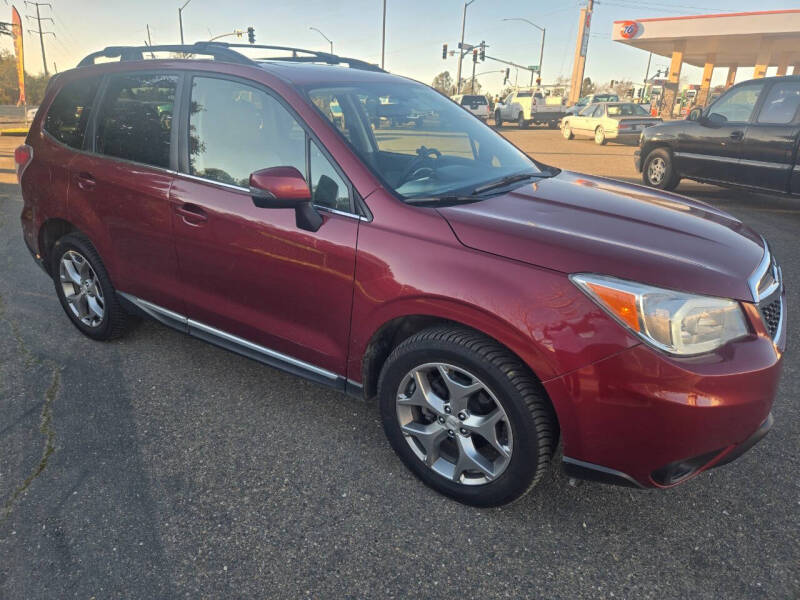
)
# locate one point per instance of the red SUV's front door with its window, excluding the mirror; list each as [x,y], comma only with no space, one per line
[249,272]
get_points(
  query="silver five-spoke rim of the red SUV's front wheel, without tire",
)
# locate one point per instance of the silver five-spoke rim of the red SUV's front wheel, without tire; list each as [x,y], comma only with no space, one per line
[454,423]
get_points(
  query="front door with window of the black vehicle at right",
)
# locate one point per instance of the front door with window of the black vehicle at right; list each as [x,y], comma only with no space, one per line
[710,149]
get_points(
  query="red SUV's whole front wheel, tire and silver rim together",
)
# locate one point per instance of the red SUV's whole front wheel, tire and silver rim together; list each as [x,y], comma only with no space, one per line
[466,416]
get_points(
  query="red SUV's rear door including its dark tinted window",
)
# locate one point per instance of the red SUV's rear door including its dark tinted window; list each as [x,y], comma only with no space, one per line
[120,187]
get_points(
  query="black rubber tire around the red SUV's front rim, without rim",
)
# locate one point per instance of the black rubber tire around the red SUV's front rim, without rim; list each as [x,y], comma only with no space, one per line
[530,414]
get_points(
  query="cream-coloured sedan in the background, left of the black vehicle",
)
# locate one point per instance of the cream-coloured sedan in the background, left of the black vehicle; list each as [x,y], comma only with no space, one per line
[608,121]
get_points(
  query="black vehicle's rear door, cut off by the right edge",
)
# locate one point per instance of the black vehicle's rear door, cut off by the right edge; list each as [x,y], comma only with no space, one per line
[770,142]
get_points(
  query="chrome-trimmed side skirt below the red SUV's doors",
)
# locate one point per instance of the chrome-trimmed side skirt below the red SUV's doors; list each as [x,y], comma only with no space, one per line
[240,346]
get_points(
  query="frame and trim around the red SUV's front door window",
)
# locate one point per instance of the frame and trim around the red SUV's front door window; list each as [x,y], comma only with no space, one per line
[183,143]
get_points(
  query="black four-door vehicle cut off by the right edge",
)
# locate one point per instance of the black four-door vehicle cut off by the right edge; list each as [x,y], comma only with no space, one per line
[748,137]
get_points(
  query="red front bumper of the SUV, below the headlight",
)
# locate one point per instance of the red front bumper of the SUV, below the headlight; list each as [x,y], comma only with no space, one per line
[644,419]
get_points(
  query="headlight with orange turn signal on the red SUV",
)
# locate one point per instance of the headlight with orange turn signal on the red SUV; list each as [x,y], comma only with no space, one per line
[678,323]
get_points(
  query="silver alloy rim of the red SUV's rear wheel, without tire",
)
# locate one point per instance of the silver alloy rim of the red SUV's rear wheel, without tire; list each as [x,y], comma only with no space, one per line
[81,288]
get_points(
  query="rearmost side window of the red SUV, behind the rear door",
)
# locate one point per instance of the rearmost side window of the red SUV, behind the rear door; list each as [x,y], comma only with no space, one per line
[69,113]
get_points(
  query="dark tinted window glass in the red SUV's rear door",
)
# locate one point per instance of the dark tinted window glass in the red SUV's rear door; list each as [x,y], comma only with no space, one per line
[135,119]
